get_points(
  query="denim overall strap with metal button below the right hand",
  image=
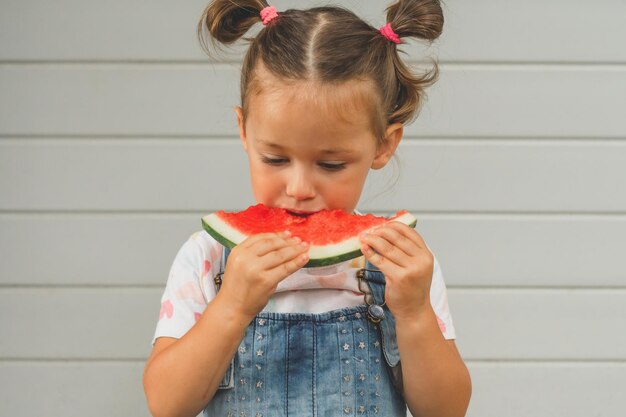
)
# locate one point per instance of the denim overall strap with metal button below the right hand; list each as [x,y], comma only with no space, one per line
[376,281]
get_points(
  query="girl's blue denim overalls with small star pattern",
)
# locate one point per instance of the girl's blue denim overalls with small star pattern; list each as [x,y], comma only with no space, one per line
[336,363]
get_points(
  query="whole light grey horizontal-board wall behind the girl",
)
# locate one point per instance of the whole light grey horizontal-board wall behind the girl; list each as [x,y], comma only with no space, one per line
[113,126]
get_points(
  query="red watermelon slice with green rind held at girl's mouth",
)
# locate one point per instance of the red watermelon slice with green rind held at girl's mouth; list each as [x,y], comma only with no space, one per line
[333,235]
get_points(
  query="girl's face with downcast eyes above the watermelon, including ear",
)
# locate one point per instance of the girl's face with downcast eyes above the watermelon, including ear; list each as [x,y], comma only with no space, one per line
[304,157]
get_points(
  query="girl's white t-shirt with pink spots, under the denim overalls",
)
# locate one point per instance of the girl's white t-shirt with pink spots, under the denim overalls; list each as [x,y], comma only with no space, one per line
[190,287]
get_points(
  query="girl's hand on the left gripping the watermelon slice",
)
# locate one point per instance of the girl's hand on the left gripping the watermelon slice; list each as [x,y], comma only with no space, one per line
[257,265]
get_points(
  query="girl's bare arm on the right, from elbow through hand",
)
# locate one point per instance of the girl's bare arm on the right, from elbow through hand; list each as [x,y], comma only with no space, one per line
[436,381]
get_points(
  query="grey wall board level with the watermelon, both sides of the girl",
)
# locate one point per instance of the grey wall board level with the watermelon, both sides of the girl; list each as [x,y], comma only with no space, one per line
[473,250]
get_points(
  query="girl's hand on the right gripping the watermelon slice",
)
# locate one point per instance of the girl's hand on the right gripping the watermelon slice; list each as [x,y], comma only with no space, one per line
[403,257]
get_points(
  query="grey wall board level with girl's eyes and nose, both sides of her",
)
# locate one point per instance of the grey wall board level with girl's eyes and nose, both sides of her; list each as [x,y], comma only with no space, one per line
[434,175]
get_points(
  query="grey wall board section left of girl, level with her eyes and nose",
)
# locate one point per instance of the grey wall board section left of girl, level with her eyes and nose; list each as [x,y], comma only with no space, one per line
[126,175]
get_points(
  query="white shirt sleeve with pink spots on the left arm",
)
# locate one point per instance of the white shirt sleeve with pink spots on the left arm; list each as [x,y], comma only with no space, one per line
[189,286]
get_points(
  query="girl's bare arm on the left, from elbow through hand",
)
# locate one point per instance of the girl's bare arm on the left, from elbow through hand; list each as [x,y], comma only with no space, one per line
[181,376]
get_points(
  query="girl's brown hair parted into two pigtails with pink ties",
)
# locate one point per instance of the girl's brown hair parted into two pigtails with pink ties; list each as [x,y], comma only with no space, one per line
[330,46]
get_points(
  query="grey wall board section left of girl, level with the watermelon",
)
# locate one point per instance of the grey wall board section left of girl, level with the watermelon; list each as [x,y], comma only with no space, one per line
[91,249]
